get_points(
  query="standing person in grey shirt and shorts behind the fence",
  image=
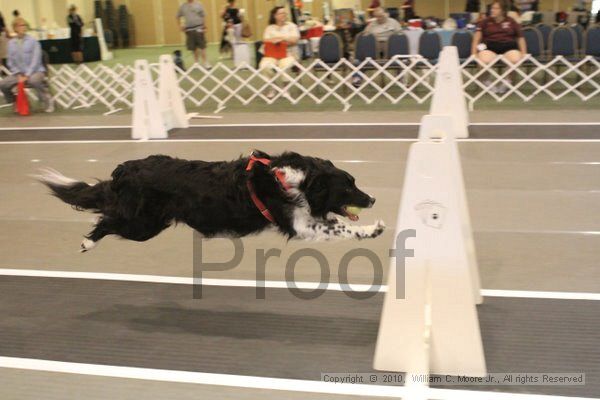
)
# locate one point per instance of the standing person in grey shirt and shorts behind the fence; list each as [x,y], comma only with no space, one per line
[194,27]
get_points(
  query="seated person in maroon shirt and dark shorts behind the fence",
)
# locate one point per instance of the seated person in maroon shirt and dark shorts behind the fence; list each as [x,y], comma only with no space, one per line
[499,34]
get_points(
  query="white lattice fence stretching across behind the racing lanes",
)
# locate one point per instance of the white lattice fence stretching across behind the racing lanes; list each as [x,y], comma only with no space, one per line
[401,79]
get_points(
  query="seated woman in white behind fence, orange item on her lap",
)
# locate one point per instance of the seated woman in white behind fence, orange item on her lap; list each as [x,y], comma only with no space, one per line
[280,30]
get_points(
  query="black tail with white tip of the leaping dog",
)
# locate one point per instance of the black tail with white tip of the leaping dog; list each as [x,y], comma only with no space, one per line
[81,195]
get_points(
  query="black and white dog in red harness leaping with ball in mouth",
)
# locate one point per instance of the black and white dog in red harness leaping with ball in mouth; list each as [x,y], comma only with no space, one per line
[297,195]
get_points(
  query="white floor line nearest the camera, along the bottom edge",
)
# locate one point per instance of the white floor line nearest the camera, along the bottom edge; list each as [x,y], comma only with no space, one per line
[256,382]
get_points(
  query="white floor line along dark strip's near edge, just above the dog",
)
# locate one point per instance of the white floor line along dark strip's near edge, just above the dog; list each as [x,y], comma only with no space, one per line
[299,139]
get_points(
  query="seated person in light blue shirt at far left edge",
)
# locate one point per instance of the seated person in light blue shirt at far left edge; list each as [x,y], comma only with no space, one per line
[25,65]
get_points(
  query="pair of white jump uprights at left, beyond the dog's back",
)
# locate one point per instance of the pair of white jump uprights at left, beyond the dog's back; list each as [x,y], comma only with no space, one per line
[154,116]
